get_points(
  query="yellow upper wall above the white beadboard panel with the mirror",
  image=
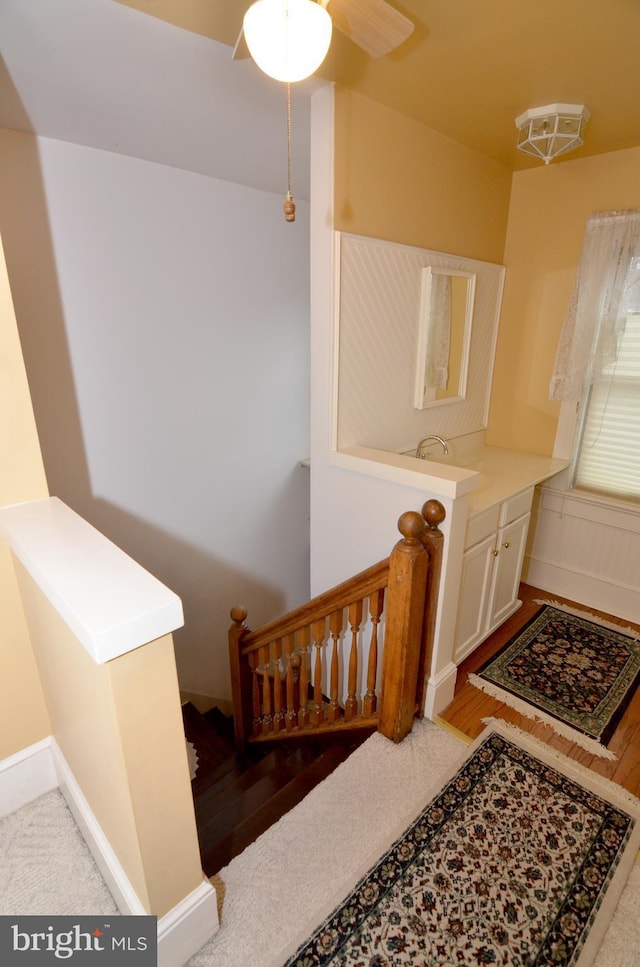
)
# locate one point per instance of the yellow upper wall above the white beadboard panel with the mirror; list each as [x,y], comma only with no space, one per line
[397,180]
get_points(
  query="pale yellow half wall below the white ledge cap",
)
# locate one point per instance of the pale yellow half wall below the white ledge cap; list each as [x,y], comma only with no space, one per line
[120,730]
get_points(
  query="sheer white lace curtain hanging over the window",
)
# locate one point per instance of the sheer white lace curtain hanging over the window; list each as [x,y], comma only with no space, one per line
[607,286]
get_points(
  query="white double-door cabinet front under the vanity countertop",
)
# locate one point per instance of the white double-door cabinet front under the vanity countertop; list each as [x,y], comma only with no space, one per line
[491,568]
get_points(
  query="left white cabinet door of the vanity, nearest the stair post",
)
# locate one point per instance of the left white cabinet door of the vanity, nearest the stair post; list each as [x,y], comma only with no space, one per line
[477,564]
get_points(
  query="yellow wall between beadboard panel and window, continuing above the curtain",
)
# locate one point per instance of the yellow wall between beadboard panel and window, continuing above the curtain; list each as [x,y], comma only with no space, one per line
[549,208]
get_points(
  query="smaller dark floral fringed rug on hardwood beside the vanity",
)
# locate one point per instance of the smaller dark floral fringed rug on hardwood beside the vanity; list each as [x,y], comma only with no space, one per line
[570,671]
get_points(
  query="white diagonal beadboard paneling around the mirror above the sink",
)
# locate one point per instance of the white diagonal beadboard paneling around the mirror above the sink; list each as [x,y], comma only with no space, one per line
[379,314]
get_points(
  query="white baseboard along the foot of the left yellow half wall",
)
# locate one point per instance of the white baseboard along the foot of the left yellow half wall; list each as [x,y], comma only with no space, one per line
[42,767]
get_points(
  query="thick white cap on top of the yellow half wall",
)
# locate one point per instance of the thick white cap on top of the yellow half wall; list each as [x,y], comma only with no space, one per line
[110,602]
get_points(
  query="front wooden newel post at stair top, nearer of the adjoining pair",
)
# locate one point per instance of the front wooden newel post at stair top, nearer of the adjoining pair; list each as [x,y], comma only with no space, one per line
[408,568]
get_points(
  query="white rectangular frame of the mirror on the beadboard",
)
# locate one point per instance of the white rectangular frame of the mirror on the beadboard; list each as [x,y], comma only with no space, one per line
[427,274]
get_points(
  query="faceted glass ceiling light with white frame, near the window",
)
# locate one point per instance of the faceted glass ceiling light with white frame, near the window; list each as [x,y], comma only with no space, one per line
[549,131]
